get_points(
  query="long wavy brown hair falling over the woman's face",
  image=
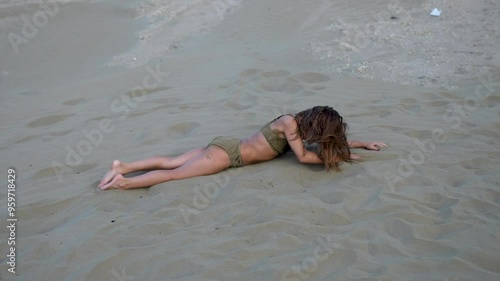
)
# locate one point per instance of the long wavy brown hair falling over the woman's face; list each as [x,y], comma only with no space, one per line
[323,125]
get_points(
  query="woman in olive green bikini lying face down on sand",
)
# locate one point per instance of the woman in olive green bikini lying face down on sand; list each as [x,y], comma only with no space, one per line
[321,125]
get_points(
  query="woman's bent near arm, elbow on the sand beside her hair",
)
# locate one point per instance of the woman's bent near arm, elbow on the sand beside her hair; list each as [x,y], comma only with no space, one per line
[296,144]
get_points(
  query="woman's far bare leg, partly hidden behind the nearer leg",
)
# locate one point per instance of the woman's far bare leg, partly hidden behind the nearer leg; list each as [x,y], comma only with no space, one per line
[155,163]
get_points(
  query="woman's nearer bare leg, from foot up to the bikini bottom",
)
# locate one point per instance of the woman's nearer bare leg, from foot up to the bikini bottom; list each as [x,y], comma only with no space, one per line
[211,161]
